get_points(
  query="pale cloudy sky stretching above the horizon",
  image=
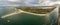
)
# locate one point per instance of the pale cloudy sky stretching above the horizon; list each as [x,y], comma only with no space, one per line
[26,2]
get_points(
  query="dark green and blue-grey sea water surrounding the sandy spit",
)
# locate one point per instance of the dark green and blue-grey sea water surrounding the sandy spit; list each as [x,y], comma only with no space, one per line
[24,19]
